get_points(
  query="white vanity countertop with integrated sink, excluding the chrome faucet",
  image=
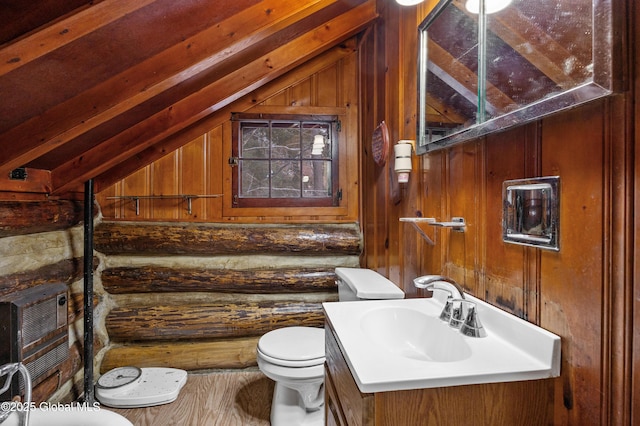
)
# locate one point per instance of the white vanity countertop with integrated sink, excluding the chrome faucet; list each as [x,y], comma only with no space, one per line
[402,344]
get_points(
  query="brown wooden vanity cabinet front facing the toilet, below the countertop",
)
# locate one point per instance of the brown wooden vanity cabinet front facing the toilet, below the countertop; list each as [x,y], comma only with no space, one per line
[345,405]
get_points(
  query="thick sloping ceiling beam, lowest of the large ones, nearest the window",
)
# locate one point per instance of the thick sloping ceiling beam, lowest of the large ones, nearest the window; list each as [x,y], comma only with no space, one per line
[219,94]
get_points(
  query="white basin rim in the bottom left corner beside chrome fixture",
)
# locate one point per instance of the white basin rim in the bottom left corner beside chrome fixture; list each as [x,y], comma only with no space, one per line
[70,416]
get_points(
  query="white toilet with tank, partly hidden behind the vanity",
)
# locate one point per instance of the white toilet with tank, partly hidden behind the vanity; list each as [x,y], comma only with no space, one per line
[294,356]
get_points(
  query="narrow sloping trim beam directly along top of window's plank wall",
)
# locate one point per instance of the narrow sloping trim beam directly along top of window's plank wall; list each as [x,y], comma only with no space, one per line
[179,139]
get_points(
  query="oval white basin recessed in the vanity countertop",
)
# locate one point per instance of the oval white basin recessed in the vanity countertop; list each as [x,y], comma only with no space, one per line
[413,334]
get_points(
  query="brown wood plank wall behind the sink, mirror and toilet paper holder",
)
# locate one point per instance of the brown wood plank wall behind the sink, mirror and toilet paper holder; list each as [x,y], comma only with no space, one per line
[583,292]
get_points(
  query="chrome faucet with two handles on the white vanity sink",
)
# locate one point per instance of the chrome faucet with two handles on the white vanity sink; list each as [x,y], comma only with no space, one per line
[454,308]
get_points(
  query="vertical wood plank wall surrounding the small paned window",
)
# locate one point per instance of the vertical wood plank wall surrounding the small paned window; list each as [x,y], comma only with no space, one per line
[324,85]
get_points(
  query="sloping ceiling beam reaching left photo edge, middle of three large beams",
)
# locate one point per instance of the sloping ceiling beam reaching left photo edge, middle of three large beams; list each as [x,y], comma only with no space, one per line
[118,95]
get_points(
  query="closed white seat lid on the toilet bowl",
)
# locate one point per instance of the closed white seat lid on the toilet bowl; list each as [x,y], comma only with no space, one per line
[293,344]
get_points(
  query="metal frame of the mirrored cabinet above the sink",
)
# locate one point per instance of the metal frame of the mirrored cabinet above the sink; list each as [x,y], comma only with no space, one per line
[607,78]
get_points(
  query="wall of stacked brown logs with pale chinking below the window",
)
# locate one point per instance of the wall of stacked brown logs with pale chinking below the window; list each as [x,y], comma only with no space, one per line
[196,296]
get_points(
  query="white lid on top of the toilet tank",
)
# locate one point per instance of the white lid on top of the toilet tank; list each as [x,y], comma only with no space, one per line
[368,284]
